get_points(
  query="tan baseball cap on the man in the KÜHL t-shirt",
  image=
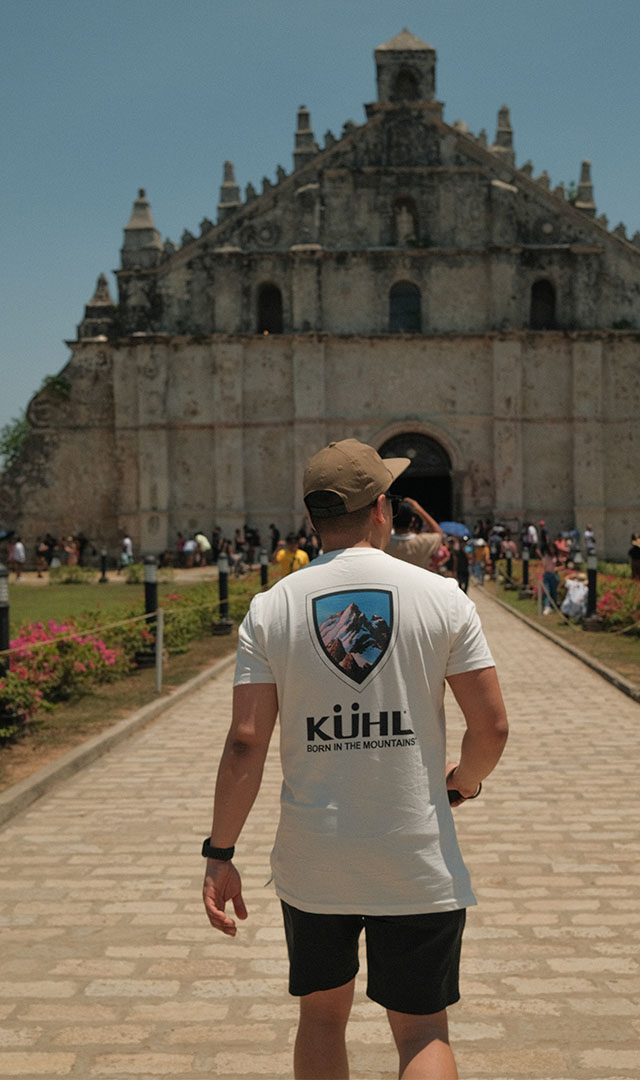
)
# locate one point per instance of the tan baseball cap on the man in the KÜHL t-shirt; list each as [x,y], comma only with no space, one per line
[355,472]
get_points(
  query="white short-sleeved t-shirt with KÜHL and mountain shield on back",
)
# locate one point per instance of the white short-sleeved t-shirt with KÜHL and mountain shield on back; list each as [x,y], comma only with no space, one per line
[359,645]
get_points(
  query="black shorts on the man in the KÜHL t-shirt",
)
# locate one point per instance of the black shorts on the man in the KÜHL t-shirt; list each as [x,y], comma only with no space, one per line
[413,961]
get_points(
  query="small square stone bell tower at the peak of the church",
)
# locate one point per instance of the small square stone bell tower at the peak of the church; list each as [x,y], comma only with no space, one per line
[405,71]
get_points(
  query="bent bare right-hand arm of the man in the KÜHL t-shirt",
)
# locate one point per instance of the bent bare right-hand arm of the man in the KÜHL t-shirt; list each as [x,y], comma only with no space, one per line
[480,698]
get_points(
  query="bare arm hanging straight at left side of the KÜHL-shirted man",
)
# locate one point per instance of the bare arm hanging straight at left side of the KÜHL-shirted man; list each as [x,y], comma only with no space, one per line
[240,775]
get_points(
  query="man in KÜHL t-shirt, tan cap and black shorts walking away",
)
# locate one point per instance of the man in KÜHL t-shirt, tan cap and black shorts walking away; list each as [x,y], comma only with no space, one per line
[355,653]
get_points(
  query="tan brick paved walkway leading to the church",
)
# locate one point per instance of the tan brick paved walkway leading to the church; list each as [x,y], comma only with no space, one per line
[110,968]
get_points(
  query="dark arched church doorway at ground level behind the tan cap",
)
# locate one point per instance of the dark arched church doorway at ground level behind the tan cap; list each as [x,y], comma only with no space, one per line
[428,480]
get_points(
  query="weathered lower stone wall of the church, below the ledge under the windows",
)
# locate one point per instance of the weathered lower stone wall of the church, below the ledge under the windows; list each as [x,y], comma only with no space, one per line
[172,434]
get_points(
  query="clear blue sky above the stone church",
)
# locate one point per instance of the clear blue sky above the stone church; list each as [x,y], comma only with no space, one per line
[101,100]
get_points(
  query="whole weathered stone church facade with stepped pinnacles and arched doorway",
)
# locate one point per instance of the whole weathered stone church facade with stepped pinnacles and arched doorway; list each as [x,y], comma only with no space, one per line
[406,285]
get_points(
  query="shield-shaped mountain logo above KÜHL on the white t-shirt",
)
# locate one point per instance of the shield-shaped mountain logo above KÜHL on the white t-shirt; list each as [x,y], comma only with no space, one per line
[353,630]
